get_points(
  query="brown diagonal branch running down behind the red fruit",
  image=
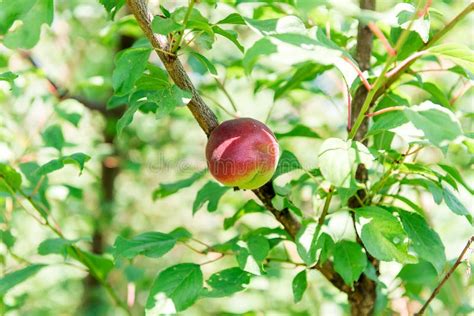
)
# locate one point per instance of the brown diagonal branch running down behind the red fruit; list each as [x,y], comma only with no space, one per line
[208,121]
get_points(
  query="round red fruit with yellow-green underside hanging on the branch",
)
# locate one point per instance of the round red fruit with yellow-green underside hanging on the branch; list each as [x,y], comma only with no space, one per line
[242,153]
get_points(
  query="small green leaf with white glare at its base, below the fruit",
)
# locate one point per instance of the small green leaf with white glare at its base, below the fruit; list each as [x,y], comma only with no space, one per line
[251,254]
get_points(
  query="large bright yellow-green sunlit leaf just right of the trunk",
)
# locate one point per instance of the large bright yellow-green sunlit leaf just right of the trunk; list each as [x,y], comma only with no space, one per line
[383,235]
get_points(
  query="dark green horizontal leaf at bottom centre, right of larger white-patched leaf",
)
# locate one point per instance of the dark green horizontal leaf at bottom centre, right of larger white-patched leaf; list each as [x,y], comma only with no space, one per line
[227,282]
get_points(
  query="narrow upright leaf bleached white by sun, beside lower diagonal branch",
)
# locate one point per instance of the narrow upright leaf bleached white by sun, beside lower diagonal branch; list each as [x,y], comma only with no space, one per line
[306,242]
